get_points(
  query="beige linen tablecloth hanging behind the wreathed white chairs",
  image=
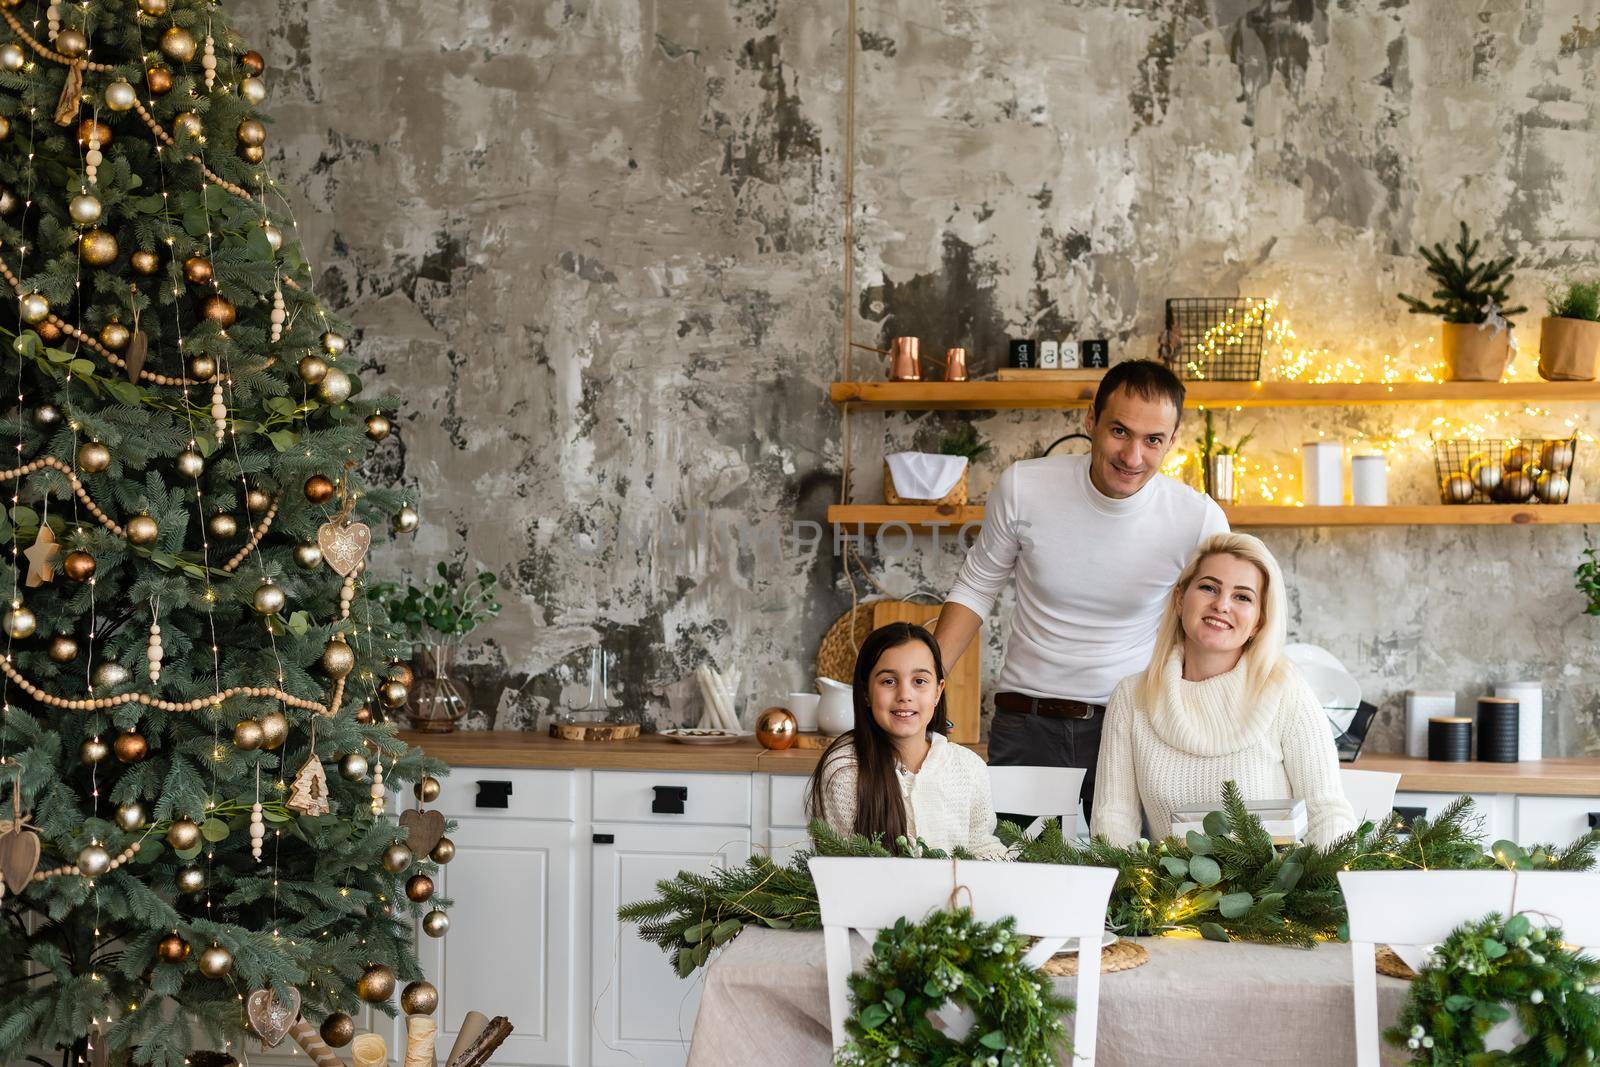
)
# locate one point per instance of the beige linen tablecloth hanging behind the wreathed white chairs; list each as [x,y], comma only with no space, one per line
[1193,1004]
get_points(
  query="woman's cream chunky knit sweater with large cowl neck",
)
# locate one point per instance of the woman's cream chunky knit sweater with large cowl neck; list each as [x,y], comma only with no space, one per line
[1199,737]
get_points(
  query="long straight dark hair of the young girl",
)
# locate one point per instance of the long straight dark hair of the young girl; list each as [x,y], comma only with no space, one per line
[879,805]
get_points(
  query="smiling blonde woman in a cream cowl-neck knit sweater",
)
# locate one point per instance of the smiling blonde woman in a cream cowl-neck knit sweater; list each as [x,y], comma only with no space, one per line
[1218,703]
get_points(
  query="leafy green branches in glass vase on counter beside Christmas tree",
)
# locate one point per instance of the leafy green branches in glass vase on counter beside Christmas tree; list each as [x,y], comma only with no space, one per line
[438,620]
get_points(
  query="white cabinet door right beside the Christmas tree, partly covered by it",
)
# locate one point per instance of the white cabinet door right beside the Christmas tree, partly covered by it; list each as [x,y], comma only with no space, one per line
[510,948]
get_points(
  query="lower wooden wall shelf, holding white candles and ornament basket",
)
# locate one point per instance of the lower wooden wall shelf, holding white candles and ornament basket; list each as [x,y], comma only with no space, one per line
[873,518]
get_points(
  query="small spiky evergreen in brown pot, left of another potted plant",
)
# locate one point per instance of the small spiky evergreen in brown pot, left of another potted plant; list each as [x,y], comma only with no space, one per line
[1473,302]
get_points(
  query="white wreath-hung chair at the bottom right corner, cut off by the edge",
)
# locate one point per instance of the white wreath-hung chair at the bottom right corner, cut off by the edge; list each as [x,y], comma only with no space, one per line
[1420,908]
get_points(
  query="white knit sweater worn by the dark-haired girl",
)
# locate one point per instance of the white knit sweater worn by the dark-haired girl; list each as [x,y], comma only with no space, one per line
[948,802]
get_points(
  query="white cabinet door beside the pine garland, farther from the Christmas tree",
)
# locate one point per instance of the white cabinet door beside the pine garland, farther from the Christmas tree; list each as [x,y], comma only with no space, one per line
[644,1013]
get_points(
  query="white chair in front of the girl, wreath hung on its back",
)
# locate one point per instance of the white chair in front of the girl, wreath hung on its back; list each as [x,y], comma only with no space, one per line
[1050,903]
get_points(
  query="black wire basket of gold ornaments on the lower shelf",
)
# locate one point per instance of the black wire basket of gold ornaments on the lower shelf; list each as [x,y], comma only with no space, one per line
[1506,473]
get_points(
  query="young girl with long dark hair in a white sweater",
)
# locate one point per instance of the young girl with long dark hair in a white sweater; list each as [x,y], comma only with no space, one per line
[895,773]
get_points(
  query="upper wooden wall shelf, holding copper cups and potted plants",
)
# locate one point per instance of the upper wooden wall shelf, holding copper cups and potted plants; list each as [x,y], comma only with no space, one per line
[996,396]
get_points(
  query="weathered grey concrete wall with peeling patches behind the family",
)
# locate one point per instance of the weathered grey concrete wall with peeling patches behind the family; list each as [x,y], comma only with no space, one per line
[598,250]
